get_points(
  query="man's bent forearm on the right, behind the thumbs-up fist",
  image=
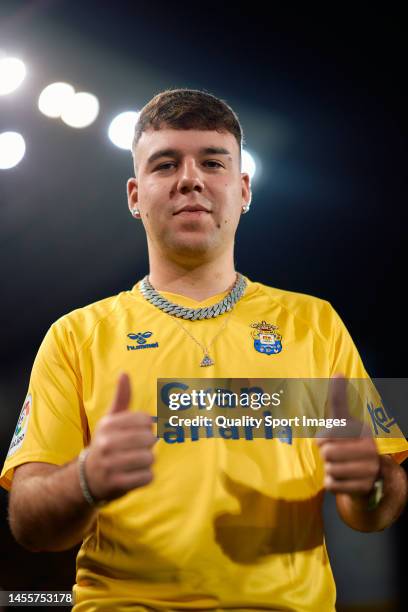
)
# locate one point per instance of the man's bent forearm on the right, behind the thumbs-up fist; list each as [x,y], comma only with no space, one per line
[353,509]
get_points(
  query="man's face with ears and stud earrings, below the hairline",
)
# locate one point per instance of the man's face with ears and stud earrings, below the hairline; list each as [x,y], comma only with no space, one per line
[189,191]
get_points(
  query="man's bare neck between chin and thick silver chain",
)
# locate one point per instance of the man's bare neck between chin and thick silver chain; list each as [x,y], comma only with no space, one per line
[197,282]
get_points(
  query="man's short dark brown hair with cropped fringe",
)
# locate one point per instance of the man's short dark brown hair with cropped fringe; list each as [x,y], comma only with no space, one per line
[188,109]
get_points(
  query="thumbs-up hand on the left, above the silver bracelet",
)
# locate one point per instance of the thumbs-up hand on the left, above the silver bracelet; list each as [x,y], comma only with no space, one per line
[120,455]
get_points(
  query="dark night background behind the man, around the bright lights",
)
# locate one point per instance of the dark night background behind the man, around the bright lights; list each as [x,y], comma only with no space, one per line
[321,97]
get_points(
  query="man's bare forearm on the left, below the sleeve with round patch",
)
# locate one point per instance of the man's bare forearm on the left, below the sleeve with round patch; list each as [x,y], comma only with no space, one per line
[49,513]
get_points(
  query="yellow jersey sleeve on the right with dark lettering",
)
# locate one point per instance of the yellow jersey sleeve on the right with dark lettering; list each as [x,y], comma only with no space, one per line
[345,359]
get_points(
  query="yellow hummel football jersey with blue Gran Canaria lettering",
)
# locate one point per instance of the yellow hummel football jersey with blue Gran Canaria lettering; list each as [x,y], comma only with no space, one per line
[226,524]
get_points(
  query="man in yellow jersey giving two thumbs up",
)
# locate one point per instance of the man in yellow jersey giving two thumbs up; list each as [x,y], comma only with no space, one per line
[200,522]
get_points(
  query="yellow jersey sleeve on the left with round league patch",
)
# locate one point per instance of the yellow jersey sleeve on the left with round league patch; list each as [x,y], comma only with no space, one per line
[52,426]
